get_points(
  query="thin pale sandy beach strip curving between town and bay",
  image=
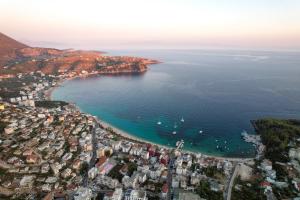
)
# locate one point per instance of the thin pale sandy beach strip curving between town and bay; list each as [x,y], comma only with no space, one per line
[126,135]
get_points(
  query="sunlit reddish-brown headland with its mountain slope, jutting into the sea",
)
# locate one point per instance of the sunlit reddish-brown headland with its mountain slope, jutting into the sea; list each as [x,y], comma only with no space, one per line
[16,57]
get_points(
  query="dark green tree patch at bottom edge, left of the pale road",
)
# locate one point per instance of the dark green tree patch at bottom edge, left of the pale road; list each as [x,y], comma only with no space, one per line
[204,191]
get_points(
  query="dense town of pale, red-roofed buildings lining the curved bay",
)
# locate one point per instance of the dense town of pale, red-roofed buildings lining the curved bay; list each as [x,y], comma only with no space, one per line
[50,150]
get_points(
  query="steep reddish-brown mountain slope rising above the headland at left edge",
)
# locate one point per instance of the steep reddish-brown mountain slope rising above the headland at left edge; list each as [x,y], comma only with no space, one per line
[9,45]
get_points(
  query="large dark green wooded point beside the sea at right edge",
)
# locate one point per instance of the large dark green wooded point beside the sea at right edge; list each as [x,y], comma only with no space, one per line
[276,134]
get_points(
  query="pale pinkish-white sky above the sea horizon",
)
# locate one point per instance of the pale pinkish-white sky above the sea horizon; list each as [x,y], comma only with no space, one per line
[103,24]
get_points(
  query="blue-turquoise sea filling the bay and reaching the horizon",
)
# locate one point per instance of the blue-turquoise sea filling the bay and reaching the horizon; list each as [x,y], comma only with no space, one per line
[217,92]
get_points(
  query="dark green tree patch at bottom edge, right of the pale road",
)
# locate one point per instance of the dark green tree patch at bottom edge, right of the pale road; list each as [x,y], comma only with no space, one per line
[247,190]
